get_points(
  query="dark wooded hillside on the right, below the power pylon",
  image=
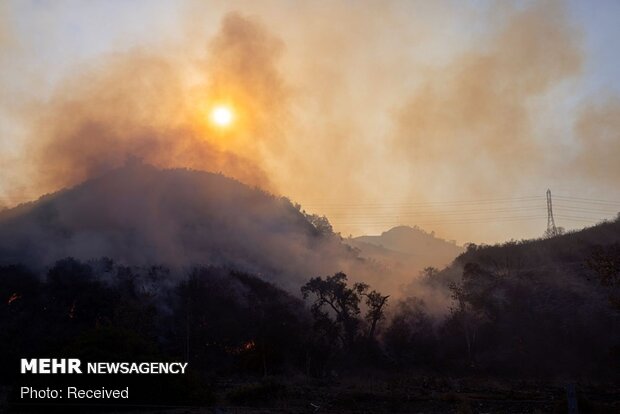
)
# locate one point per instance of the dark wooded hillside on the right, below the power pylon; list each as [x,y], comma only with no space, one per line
[538,306]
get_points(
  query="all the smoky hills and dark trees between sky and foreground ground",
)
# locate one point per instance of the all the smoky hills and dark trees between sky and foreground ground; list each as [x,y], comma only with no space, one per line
[143,264]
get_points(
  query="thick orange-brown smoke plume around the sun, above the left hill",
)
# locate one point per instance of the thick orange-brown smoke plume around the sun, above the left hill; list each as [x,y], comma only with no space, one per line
[154,106]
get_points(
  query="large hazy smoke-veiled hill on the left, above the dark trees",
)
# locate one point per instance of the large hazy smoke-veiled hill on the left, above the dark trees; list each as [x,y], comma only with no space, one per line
[140,215]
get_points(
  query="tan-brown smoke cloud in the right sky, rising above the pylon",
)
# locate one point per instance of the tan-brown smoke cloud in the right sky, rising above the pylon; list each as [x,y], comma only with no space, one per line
[472,121]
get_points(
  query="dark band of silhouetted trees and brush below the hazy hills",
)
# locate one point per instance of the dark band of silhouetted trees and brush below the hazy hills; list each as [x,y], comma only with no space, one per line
[513,314]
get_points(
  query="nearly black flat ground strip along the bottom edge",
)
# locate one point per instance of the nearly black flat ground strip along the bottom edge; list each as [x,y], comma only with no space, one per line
[393,395]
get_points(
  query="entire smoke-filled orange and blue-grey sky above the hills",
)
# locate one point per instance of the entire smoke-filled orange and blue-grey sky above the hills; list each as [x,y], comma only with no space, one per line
[455,116]
